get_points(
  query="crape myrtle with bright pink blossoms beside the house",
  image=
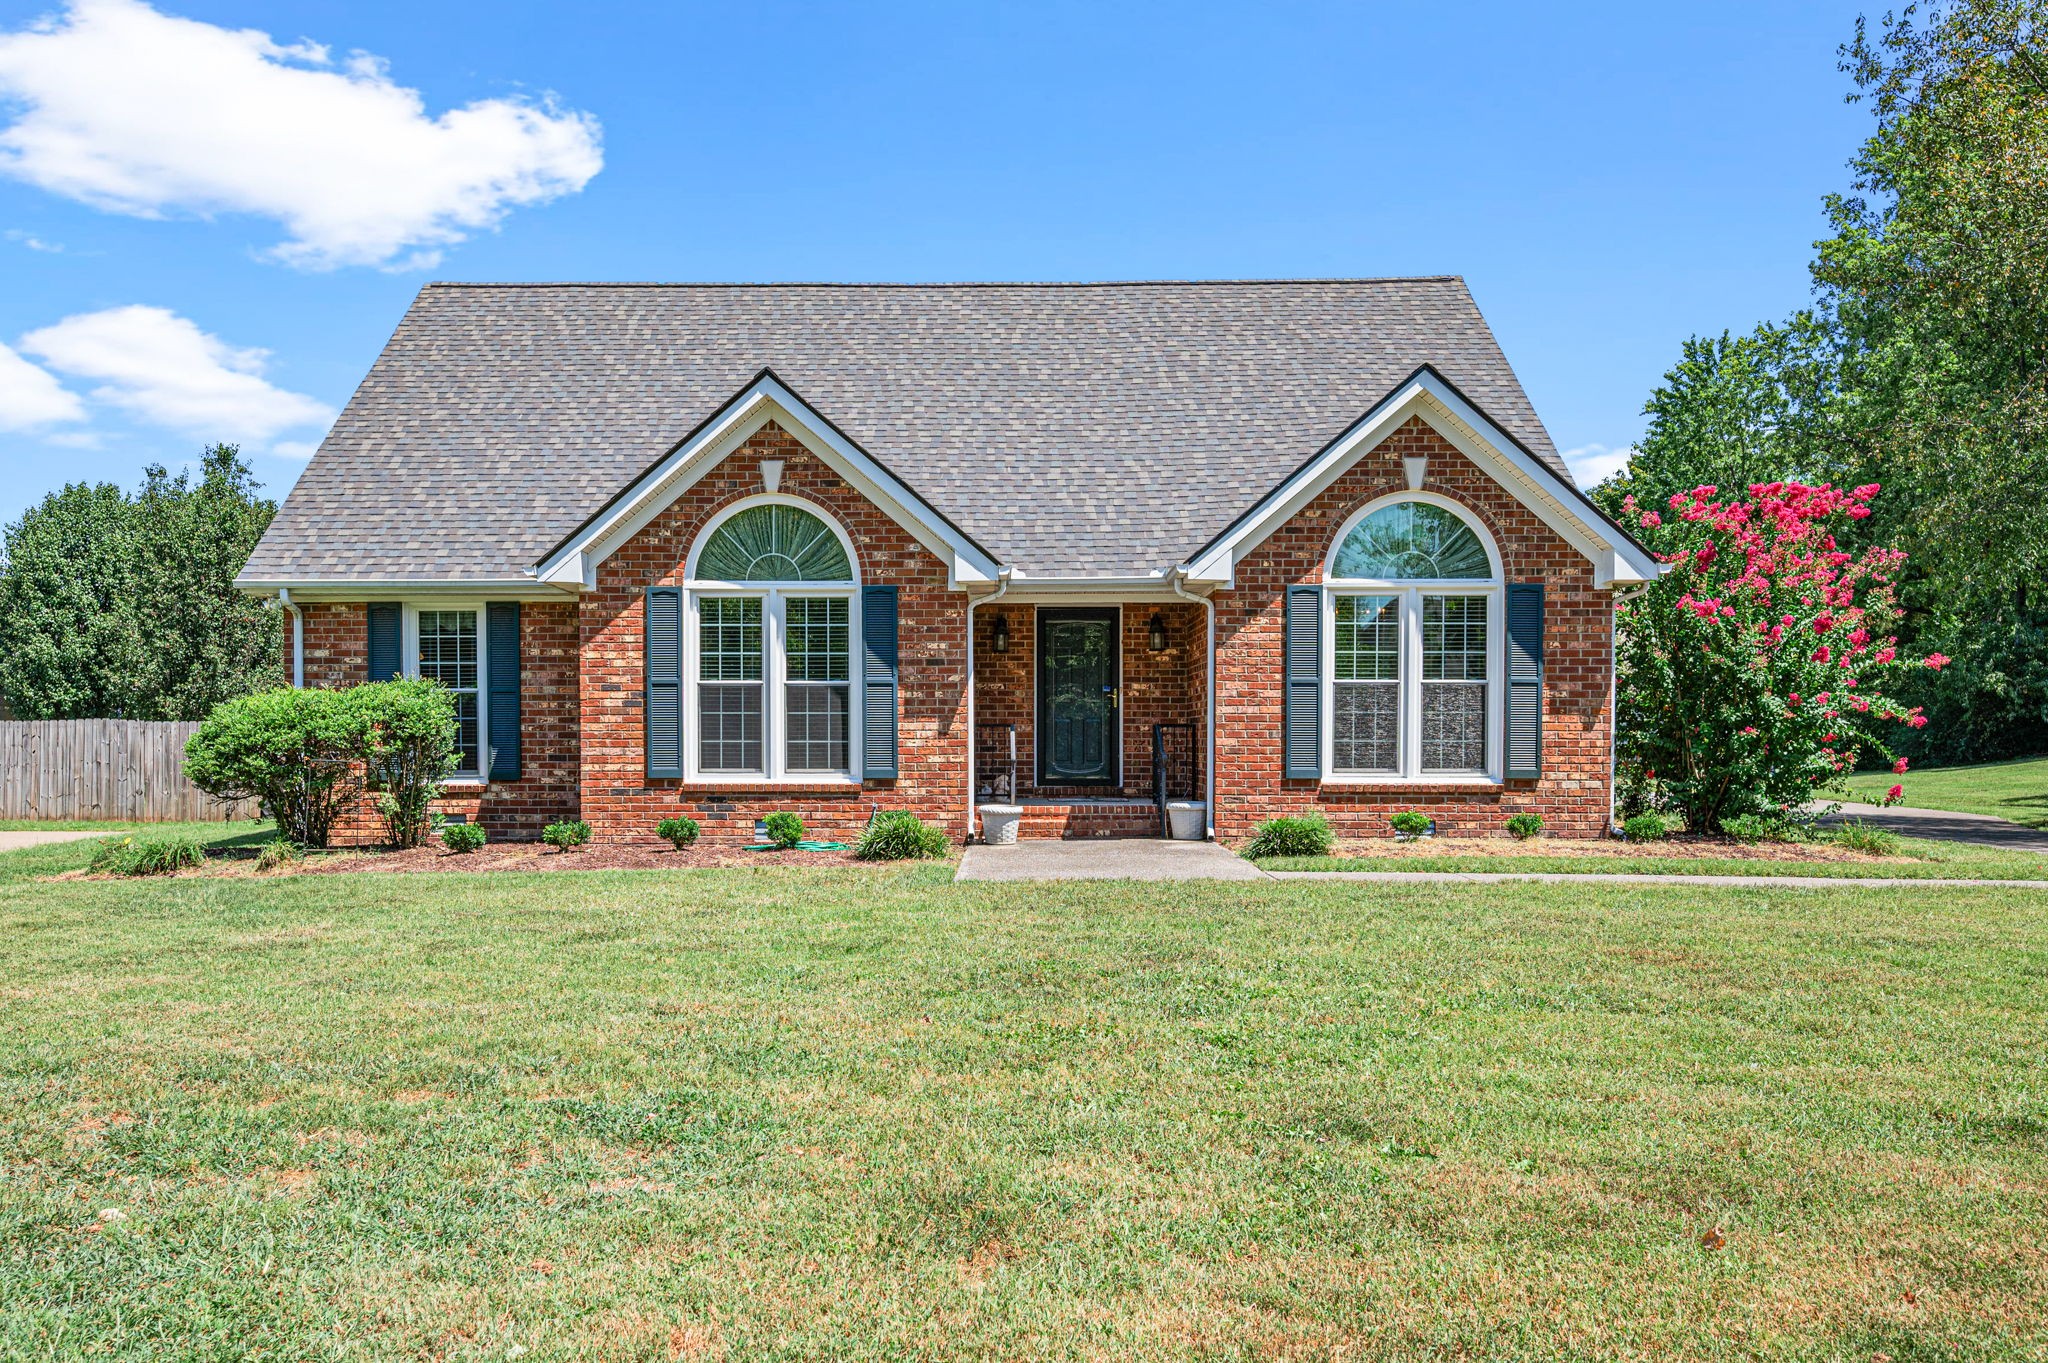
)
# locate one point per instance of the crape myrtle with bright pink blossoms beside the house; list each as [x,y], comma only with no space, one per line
[1760,668]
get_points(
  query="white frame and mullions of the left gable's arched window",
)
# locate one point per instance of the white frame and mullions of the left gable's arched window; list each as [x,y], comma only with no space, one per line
[775,658]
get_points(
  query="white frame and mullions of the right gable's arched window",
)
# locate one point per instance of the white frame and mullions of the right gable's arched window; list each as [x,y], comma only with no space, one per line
[1410,592]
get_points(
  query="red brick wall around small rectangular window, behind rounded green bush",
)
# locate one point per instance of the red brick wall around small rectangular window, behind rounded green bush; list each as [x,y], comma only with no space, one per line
[337,654]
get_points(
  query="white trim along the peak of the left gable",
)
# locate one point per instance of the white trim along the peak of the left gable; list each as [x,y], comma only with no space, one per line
[767,400]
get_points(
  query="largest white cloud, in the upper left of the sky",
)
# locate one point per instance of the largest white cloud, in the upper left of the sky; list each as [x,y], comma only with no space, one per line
[148,114]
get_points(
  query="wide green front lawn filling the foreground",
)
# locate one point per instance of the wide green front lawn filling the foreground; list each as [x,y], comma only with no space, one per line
[876,1116]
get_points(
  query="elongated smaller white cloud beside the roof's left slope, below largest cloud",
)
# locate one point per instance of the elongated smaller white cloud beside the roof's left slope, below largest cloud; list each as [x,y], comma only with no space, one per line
[163,369]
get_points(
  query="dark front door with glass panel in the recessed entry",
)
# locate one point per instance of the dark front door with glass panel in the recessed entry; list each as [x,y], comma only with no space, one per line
[1078,697]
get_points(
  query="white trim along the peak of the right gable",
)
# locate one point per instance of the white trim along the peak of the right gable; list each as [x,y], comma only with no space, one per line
[1617,560]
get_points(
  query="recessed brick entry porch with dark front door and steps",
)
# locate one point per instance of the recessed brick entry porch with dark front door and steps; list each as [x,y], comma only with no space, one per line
[1091,717]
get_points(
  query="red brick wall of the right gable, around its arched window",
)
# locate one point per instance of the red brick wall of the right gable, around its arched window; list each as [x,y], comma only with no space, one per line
[1578,629]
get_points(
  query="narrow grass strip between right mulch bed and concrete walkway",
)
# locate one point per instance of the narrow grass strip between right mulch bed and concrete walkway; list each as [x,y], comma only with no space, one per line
[1928,861]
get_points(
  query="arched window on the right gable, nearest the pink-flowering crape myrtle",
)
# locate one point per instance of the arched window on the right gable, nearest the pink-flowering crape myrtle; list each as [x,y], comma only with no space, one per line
[1414,597]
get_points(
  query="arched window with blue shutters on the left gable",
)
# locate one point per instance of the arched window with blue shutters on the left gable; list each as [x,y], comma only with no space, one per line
[771,646]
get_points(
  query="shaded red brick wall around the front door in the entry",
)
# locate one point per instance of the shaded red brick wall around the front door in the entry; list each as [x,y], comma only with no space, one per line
[1158,689]
